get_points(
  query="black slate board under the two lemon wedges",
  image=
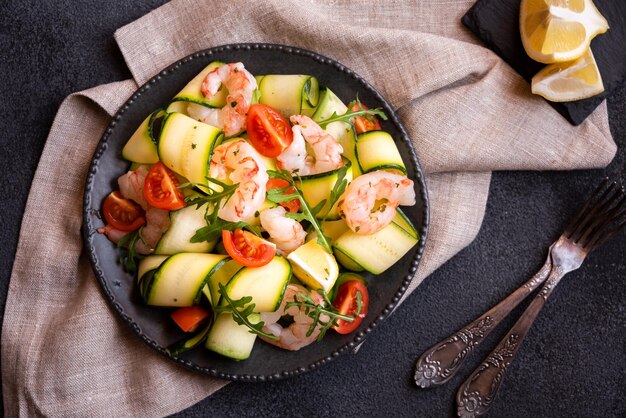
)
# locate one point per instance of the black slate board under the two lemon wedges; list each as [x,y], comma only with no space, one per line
[496,23]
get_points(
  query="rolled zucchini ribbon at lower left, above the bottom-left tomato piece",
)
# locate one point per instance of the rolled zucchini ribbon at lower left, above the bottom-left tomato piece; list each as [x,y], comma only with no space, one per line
[180,279]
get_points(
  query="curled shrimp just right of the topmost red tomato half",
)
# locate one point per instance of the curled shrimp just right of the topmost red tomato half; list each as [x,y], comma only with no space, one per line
[326,150]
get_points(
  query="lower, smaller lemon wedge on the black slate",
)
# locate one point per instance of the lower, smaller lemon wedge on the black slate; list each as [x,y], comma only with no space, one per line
[568,81]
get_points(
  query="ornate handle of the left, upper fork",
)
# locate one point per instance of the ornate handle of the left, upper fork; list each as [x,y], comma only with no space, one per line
[439,363]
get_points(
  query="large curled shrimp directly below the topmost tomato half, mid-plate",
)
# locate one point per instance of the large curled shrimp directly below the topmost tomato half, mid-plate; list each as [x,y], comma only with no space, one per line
[239,162]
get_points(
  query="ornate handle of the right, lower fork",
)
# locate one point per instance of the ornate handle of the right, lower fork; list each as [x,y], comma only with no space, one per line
[476,394]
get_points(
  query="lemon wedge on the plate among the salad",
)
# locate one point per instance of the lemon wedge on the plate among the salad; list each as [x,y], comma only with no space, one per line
[314,266]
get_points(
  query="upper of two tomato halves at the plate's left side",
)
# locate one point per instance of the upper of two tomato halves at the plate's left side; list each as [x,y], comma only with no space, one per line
[161,188]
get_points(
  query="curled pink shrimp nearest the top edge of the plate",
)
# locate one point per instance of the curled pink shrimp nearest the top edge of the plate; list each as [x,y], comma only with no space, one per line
[240,84]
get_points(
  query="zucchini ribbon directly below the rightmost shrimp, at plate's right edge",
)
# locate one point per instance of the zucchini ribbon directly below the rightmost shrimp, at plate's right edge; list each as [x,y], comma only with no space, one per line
[378,251]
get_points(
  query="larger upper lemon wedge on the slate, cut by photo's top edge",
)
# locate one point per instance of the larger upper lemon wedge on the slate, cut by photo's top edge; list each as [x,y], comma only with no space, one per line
[559,30]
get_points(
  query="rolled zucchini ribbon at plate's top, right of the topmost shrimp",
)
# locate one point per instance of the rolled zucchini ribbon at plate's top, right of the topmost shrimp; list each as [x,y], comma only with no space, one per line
[290,94]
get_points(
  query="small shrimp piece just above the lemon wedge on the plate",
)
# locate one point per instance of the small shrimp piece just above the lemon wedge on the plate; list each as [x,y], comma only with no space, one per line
[285,232]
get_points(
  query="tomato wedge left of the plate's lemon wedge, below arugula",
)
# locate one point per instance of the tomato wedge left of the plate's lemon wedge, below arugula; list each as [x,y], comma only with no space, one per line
[248,249]
